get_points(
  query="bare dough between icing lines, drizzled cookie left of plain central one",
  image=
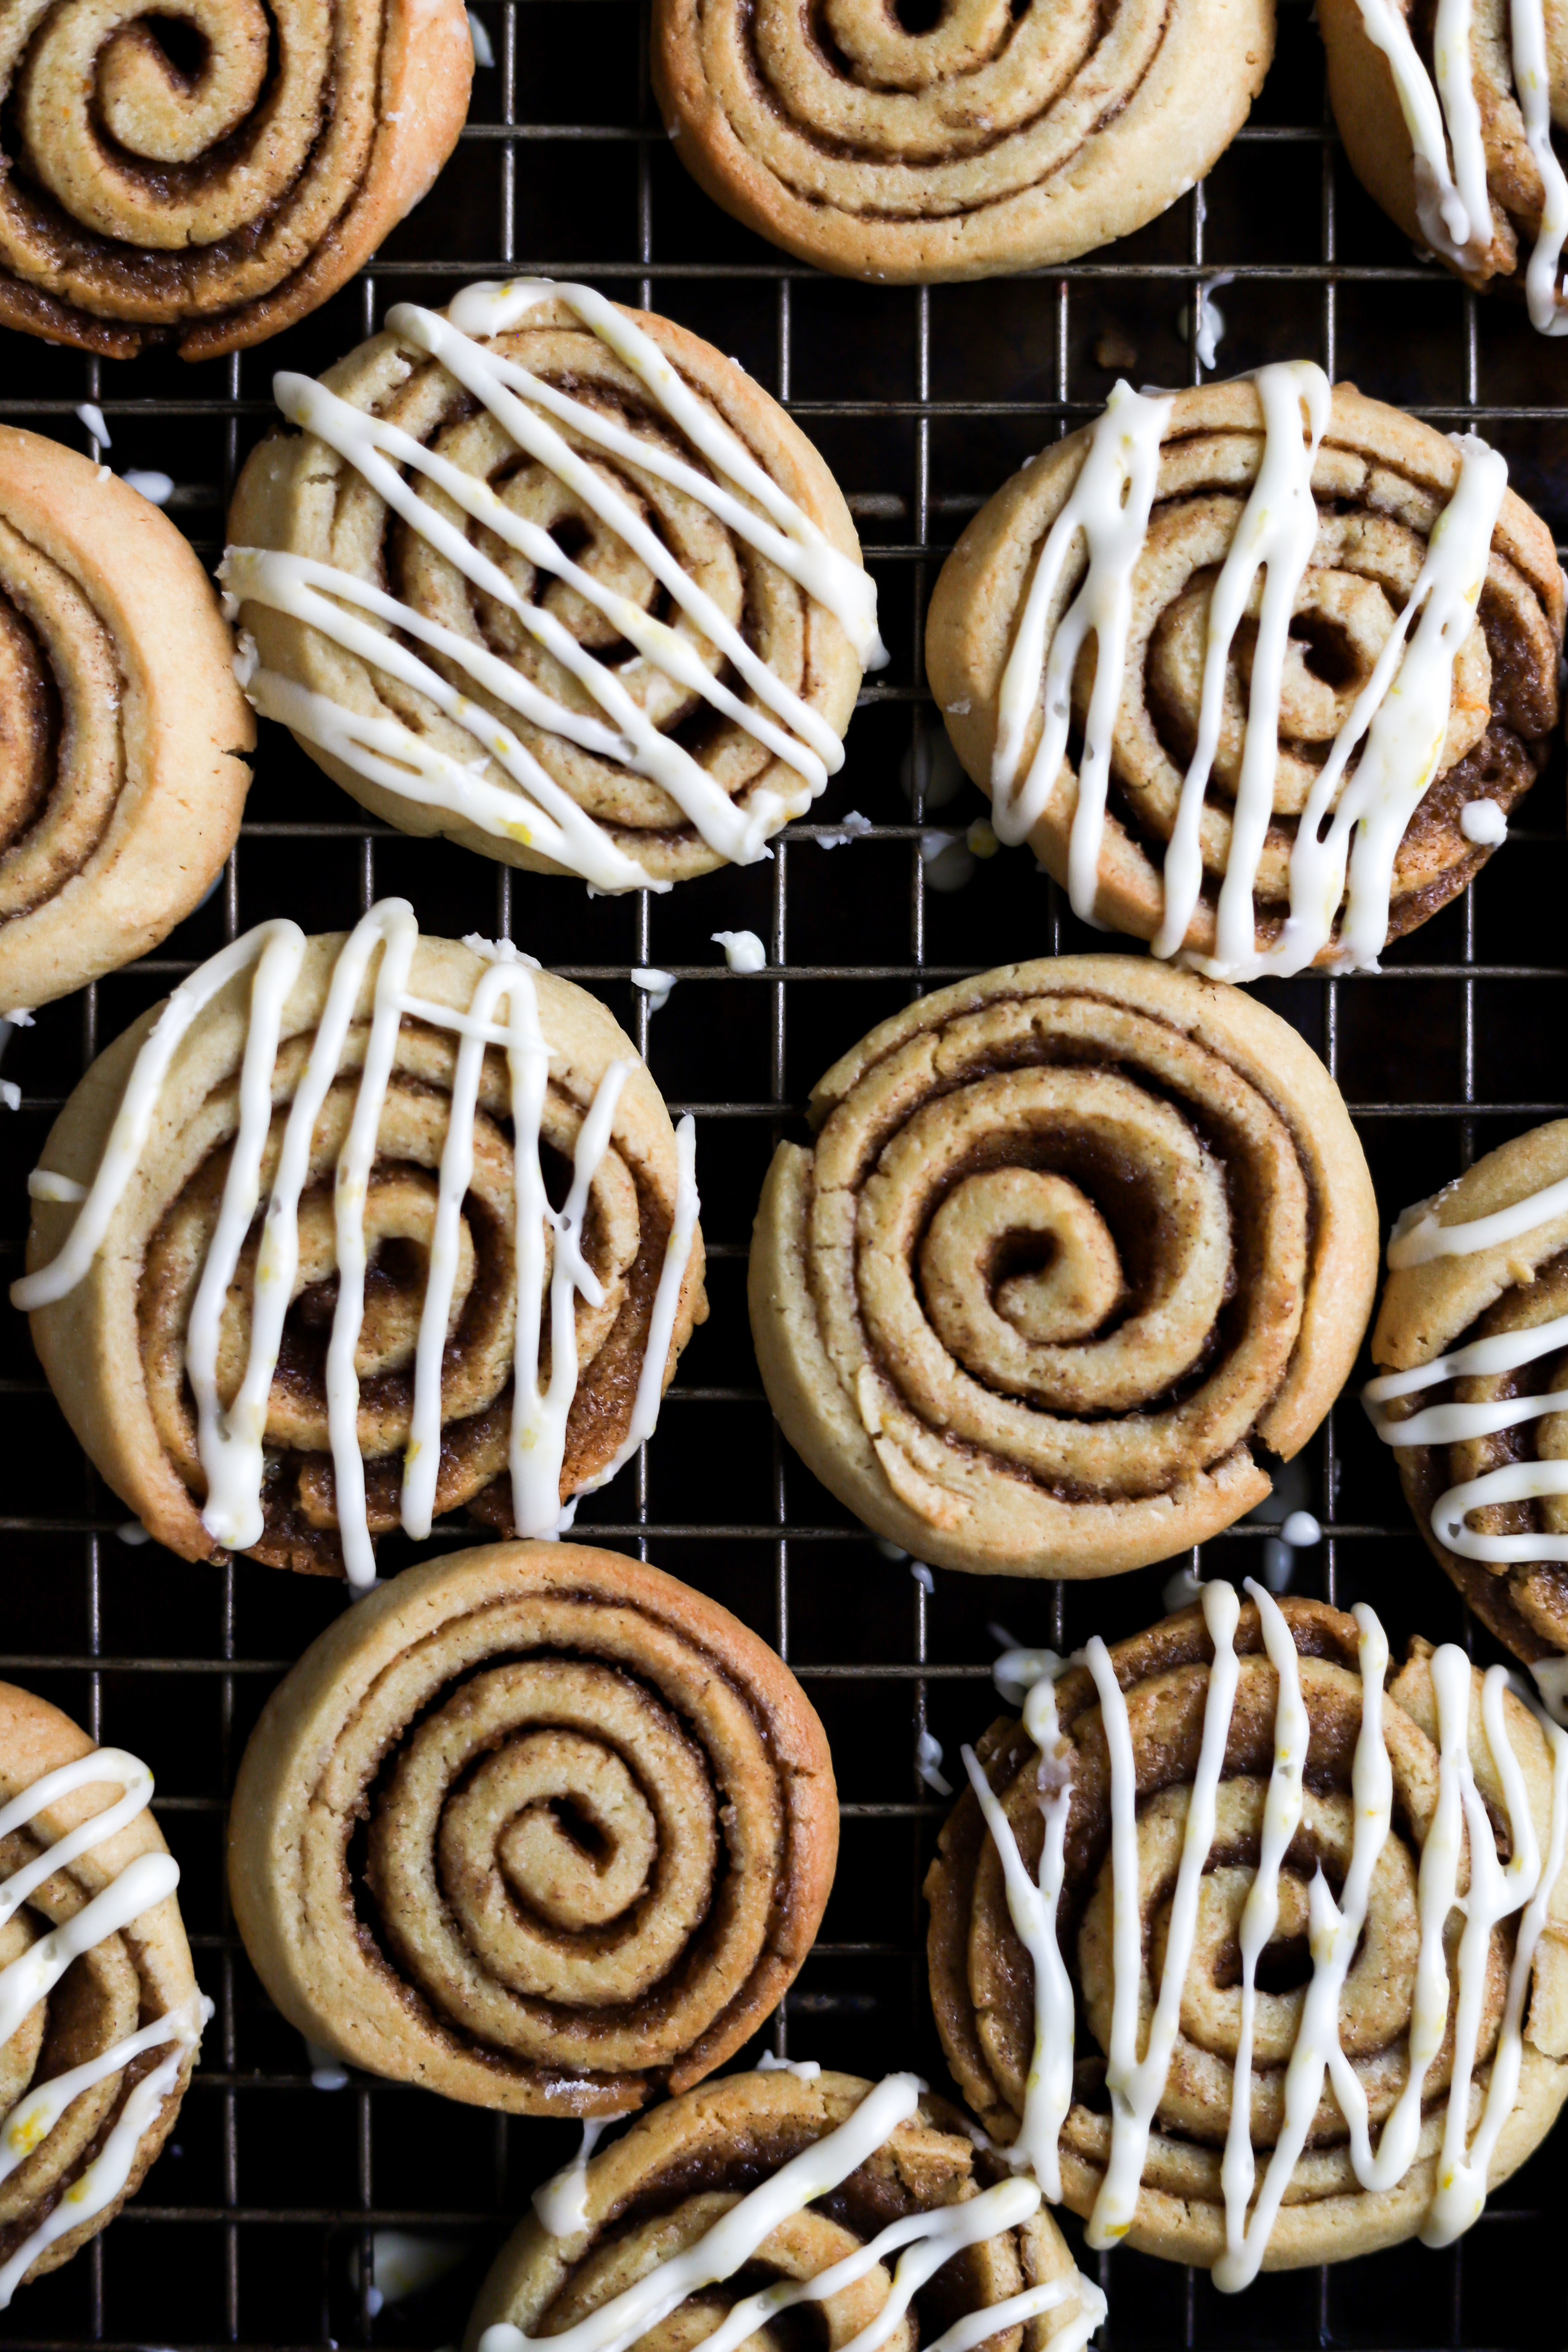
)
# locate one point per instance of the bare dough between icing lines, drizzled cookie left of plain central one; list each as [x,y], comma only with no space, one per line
[114,1347]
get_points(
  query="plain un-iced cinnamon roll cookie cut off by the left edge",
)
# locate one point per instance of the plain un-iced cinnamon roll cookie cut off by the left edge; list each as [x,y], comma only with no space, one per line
[123,737]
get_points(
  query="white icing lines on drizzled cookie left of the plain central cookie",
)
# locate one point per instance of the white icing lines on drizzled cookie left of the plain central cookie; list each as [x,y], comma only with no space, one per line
[232,1443]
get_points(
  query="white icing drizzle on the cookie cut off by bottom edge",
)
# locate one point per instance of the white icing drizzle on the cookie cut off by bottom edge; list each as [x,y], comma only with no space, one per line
[923,2245]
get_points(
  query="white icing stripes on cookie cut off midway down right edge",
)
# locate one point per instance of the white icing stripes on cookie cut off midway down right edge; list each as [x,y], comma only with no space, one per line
[1419,1241]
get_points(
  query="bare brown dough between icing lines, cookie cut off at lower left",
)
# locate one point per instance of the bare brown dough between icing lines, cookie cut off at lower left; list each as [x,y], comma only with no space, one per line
[128,1982]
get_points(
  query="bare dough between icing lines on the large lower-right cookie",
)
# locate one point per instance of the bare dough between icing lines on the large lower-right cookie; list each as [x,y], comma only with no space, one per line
[981,1979]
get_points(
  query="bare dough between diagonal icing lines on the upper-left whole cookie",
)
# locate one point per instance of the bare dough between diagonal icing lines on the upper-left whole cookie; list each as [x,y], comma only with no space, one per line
[307,500]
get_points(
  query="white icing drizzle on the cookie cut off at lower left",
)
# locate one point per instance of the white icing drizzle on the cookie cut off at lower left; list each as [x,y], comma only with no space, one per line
[27,1982]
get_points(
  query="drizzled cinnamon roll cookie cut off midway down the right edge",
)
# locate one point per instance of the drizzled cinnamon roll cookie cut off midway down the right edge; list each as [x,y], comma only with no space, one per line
[1473,1394]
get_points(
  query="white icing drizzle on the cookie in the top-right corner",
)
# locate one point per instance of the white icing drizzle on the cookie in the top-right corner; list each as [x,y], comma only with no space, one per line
[1452,196]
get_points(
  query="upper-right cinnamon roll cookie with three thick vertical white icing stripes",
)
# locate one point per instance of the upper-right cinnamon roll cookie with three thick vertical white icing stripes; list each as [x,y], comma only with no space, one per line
[1287,589]
